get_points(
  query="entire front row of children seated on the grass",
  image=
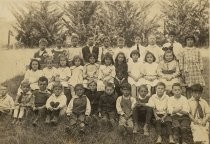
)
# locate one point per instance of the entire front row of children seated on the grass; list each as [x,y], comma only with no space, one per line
[177,113]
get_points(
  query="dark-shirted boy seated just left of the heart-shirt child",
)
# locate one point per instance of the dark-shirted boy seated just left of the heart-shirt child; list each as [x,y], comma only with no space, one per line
[39,99]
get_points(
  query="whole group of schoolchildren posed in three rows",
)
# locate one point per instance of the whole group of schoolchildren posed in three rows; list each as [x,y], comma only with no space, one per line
[116,84]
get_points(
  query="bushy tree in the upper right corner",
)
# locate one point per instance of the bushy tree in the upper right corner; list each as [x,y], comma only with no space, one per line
[186,17]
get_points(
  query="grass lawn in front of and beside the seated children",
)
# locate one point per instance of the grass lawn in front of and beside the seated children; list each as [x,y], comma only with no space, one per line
[43,134]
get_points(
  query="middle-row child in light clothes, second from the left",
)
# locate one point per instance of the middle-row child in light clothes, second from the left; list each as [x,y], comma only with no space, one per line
[49,72]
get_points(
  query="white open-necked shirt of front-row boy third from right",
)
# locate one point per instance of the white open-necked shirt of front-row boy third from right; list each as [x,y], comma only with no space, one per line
[159,103]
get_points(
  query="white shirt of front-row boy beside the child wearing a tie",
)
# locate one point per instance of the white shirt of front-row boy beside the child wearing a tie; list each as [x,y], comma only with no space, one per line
[174,103]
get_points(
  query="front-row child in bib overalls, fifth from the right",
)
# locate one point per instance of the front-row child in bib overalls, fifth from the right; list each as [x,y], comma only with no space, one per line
[124,106]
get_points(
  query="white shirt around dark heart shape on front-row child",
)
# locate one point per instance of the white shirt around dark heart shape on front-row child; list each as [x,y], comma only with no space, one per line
[61,99]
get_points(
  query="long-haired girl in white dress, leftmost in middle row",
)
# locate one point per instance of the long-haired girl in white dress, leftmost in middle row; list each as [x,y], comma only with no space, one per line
[33,74]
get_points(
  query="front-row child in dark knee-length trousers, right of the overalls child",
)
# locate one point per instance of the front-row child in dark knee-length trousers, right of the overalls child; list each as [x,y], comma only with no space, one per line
[142,111]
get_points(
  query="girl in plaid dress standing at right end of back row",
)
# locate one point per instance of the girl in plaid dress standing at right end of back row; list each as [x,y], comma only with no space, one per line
[191,65]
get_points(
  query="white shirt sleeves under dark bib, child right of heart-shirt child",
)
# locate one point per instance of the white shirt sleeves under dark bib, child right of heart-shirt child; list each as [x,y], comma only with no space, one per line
[71,105]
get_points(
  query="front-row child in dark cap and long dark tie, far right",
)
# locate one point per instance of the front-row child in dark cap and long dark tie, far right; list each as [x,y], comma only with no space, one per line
[200,115]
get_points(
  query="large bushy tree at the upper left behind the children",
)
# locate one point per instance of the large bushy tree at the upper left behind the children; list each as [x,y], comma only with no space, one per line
[37,20]
